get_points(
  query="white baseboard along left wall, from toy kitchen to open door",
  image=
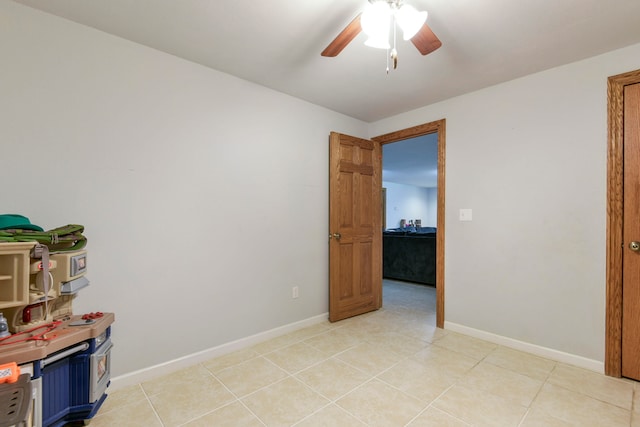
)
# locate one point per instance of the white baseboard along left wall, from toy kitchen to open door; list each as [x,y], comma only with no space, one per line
[171,366]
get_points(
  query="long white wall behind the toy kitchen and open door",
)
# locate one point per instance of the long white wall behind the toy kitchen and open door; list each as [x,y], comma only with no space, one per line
[204,197]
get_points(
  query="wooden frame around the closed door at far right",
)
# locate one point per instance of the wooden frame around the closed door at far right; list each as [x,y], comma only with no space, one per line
[615,203]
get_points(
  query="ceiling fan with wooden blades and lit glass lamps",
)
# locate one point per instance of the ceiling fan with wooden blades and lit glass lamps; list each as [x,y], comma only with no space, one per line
[377,19]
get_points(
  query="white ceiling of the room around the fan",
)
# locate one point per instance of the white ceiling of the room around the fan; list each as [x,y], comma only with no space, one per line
[277,43]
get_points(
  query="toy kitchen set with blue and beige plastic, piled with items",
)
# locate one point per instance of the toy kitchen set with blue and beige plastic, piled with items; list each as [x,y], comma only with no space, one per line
[55,366]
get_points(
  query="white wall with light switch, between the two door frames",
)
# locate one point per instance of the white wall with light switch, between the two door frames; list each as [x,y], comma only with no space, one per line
[529,157]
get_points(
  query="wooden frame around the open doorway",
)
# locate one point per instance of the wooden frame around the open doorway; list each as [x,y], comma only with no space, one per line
[412,132]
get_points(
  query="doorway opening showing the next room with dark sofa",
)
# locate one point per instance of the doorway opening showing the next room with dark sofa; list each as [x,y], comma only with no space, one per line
[409,219]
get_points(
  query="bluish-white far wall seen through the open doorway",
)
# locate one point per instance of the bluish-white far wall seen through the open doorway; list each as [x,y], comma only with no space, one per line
[410,202]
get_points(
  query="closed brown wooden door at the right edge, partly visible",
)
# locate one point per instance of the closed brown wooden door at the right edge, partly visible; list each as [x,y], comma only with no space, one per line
[631,235]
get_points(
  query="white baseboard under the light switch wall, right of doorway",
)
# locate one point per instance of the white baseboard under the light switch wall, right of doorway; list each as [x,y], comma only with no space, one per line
[549,353]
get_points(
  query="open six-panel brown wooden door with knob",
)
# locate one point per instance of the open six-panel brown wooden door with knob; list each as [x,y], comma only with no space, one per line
[355,226]
